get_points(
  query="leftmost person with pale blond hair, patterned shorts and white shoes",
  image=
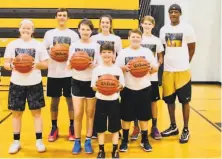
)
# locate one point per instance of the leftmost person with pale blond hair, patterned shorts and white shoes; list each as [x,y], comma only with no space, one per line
[26,85]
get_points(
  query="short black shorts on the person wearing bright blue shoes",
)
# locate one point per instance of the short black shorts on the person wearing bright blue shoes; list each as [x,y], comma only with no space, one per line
[82,89]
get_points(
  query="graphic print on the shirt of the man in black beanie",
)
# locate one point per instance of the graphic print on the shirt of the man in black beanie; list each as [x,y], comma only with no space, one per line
[174,39]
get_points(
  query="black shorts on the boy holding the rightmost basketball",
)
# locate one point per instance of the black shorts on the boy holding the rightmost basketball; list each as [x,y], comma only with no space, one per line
[136,104]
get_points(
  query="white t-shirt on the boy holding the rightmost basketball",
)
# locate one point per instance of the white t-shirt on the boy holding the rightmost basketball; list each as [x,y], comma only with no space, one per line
[128,54]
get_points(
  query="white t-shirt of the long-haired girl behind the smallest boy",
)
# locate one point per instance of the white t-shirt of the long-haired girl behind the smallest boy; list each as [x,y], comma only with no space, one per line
[116,40]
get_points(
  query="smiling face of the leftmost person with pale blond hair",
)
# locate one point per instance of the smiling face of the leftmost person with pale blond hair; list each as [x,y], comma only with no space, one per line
[26,30]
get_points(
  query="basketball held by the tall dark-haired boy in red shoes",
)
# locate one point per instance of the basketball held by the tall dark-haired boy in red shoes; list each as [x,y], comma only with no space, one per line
[59,52]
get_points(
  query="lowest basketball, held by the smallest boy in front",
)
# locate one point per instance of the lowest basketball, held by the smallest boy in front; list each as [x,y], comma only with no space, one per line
[107,84]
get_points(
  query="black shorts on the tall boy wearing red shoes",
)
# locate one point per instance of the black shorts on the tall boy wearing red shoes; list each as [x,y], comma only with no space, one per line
[56,87]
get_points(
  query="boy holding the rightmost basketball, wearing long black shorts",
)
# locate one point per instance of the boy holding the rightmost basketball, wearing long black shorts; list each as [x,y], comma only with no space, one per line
[135,97]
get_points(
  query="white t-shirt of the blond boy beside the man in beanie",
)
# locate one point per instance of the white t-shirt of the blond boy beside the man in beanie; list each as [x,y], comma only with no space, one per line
[154,44]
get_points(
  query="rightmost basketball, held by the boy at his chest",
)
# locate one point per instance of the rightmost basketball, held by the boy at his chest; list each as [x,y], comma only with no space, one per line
[139,67]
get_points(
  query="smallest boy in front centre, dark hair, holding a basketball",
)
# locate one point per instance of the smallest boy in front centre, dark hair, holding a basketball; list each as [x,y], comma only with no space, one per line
[107,106]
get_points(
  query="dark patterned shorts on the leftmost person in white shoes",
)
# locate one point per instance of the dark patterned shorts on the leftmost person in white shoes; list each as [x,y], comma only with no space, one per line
[18,95]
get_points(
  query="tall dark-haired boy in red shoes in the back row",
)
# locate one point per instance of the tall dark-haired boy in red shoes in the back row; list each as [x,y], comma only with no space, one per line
[59,78]
